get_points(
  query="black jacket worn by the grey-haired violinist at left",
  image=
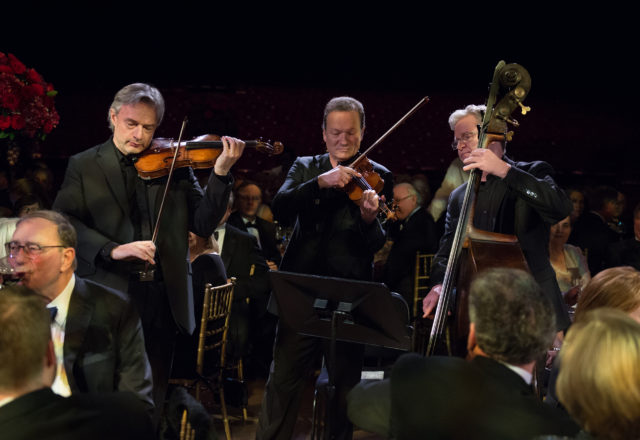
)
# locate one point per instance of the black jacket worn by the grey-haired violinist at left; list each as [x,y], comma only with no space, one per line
[93,195]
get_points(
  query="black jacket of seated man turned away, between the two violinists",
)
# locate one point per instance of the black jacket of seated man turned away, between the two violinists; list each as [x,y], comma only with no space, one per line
[239,253]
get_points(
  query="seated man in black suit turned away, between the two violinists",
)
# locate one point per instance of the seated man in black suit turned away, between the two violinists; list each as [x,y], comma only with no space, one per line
[251,327]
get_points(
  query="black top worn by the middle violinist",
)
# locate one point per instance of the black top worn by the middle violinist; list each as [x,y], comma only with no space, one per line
[329,236]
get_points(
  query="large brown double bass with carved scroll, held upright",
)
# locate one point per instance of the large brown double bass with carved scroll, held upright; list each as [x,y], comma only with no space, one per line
[473,250]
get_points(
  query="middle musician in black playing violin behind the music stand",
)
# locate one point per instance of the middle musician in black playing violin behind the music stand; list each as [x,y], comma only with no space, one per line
[333,236]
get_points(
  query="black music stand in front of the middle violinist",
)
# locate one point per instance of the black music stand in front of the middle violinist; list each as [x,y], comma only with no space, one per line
[340,309]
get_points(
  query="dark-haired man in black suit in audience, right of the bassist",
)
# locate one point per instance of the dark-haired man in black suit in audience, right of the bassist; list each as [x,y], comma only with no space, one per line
[592,233]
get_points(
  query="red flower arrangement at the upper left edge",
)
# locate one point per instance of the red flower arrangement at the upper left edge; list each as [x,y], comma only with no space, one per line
[26,101]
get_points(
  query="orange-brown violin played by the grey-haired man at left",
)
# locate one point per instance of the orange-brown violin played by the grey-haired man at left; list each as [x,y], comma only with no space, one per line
[198,153]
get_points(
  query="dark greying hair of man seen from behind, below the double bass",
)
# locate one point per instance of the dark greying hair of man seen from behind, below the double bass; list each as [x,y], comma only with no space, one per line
[513,319]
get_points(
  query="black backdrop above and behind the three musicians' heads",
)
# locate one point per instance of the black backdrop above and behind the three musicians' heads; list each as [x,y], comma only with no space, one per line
[268,74]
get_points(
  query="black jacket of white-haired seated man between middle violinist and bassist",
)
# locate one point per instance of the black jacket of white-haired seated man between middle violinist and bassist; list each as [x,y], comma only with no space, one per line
[416,233]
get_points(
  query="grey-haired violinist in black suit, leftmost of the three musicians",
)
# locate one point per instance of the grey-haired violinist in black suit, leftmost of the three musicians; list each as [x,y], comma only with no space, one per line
[115,212]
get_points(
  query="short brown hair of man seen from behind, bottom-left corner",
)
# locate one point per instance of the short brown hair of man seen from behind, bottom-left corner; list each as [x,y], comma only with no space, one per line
[25,335]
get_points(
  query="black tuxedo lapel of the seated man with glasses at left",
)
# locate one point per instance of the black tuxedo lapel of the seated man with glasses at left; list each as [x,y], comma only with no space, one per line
[78,319]
